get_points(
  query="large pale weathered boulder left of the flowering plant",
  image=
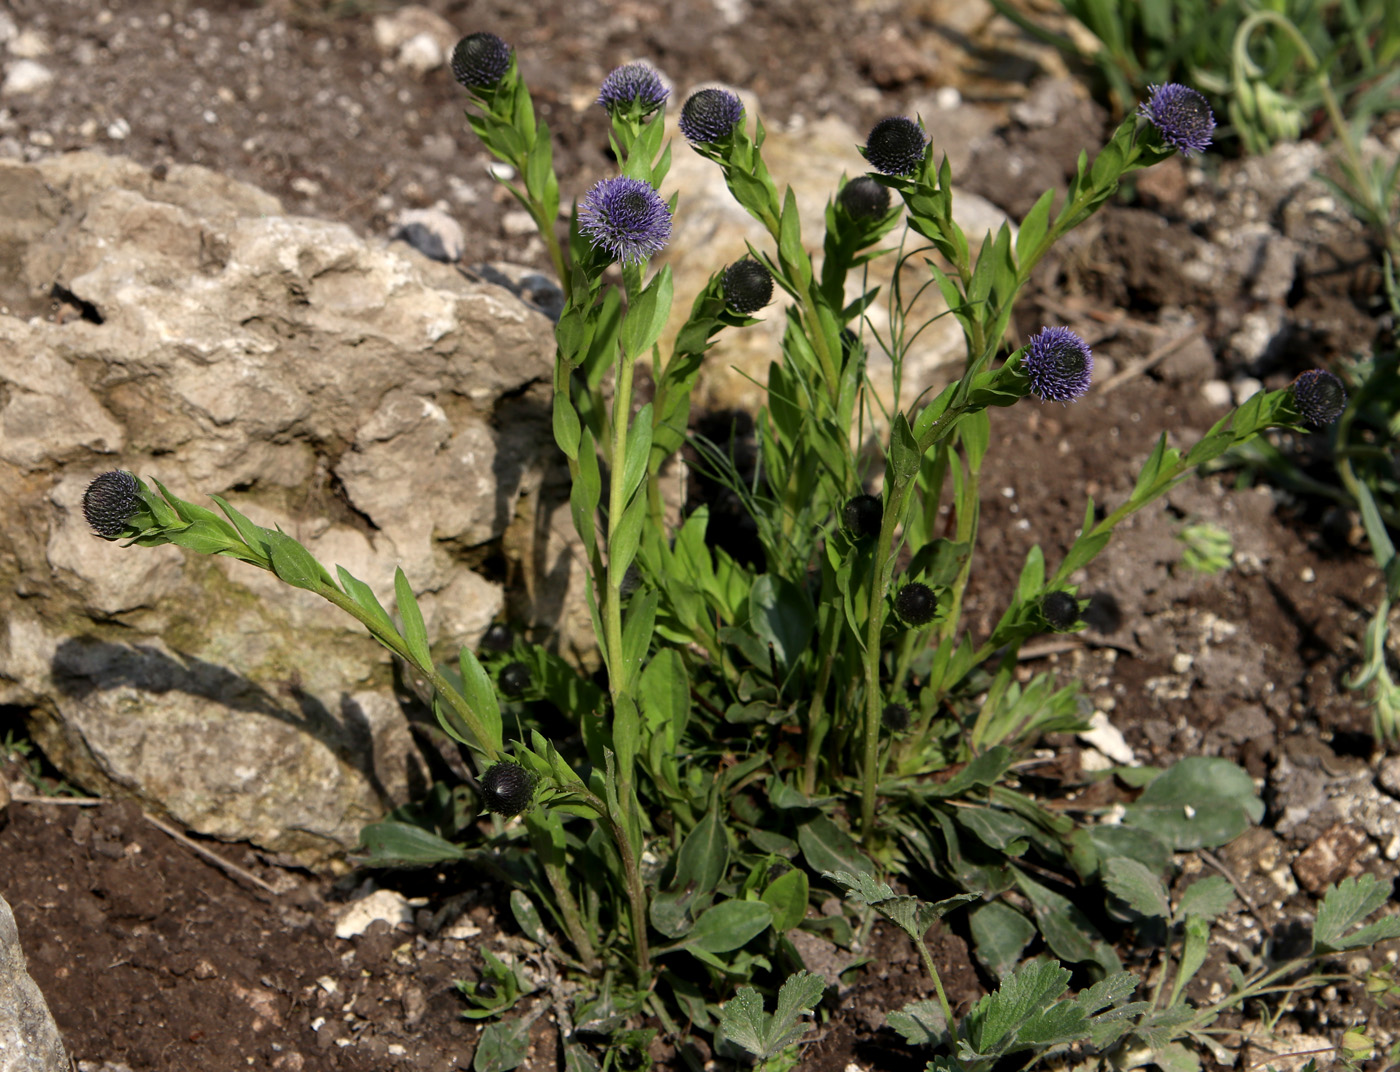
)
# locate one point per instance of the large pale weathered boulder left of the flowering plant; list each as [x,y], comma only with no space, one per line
[380,408]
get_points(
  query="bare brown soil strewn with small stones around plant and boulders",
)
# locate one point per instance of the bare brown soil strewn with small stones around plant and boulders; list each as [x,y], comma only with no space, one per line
[153,959]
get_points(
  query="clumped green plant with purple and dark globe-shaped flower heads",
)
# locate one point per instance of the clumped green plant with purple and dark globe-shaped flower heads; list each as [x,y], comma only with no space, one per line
[766,735]
